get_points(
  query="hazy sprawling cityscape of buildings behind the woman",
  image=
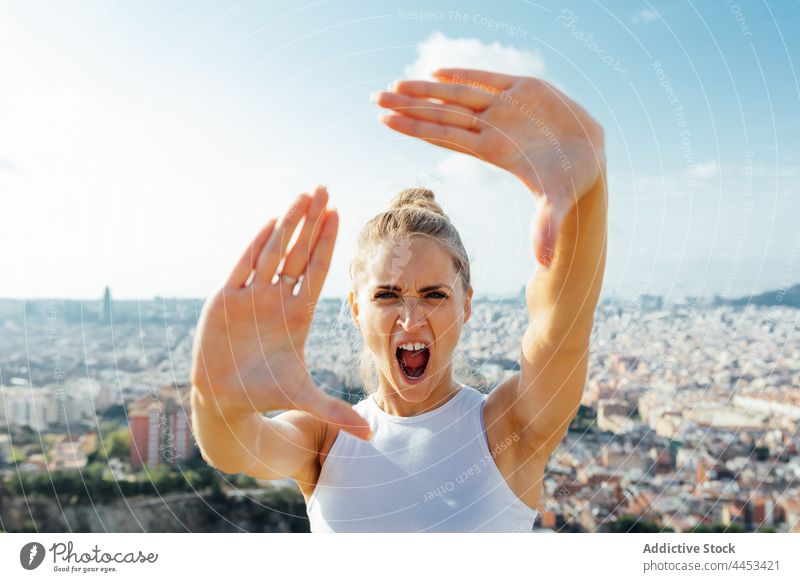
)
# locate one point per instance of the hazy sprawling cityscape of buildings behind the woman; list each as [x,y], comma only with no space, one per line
[689,420]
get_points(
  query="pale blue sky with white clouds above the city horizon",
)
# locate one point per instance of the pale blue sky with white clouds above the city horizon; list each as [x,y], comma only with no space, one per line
[143,144]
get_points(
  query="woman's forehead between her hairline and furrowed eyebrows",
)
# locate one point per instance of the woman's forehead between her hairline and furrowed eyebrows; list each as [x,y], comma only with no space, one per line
[410,262]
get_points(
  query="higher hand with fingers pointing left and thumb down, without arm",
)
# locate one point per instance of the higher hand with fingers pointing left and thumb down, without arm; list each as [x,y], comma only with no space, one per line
[521,124]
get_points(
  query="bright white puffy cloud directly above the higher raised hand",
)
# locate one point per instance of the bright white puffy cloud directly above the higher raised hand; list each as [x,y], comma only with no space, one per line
[439,50]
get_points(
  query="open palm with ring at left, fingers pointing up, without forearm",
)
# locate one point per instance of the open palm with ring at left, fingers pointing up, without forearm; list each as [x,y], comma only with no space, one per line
[248,352]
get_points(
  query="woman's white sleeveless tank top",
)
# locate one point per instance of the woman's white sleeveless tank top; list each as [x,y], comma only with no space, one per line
[427,473]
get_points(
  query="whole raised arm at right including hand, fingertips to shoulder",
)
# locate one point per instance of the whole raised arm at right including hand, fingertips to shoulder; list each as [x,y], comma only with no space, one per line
[548,141]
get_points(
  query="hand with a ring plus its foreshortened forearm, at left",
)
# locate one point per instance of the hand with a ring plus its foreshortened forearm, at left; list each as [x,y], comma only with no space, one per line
[248,356]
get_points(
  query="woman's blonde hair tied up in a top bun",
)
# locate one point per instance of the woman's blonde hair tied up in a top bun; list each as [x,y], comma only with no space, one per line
[413,211]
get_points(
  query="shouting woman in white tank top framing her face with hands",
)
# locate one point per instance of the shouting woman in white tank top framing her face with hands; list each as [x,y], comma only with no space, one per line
[421,453]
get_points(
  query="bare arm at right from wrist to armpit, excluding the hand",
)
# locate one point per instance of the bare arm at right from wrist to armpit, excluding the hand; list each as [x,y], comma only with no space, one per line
[561,304]
